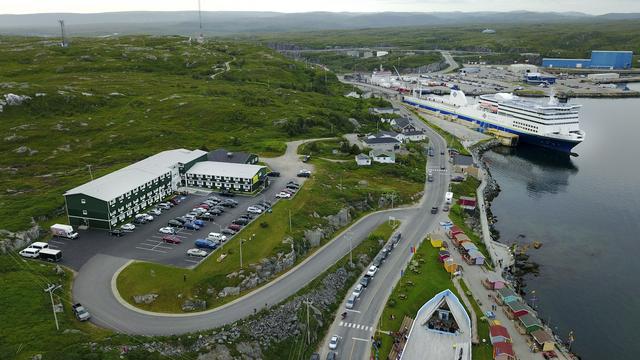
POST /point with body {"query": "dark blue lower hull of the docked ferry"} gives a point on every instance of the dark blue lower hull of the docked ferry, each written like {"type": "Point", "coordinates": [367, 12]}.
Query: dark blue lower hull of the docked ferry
{"type": "Point", "coordinates": [542, 141]}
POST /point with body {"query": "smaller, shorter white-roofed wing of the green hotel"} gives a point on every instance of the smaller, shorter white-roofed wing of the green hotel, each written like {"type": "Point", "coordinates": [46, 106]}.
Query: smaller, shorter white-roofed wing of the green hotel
{"type": "Point", "coordinates": [226, 176]}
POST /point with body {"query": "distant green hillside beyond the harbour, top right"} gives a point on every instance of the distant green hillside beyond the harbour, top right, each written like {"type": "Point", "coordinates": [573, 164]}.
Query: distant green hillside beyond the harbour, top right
{"type": "Point", "coordinates": [549, 39]}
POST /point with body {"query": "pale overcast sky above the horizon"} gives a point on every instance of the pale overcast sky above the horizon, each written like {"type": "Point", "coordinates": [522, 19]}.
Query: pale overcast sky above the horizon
{"type": "Point", "coordinates": [91, 6]}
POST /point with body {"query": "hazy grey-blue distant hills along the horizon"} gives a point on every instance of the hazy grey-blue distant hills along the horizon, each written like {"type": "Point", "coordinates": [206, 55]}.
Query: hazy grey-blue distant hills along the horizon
{"type": "Point", "coordinates": [226, 23]}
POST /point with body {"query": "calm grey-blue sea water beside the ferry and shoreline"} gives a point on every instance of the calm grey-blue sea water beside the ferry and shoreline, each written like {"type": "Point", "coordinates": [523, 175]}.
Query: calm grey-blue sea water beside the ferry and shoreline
{"type": "Point", "coordinates": [586, 212]}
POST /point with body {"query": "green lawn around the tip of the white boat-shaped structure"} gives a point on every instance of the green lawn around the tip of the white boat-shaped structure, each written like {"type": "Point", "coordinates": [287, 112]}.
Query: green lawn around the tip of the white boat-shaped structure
{"type": "Point", "coordinates": [413, 290]}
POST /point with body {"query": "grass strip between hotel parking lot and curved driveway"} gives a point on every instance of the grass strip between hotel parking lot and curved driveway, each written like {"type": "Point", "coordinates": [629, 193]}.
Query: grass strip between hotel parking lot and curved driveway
{"type": "Point", "coordinates": [332, 187]}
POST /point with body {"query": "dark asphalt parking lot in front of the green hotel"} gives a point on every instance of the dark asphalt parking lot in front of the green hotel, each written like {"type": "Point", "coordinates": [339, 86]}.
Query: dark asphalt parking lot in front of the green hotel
{"type": "Point", "coordinates": [146, 242]}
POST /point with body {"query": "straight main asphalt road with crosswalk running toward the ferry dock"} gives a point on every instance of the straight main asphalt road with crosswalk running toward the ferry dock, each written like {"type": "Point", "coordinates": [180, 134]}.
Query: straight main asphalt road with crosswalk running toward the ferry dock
{"type": "Point", "coordinates": [360, 324]}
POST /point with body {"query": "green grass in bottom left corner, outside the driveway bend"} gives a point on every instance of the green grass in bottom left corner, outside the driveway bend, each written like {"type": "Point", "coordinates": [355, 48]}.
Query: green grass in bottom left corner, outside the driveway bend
{"type": "Point", "coordinates": [28, 326]}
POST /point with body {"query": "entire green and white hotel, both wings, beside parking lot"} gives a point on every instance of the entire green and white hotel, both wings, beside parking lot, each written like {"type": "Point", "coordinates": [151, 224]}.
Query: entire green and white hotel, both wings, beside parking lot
{"type": "Point", "coordinates": [115, 198]}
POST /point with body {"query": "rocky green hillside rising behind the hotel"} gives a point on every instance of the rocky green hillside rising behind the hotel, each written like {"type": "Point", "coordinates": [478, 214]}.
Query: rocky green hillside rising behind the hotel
{"type": "Point", "coordinates": [108, 102]}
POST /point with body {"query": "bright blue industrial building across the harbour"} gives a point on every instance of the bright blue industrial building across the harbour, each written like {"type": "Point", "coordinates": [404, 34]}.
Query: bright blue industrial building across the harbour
{"type": "Point", "coordinates": [600, 59]}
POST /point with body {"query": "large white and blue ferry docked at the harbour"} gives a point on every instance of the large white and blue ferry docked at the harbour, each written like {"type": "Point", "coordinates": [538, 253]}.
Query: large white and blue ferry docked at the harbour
{"type": "Point", "coordinates": [552, 125]}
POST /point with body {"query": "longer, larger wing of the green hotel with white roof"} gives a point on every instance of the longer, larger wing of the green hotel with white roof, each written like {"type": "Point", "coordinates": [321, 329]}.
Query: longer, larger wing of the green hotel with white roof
{"type": "Point", "coordinates": [113, 198]}
